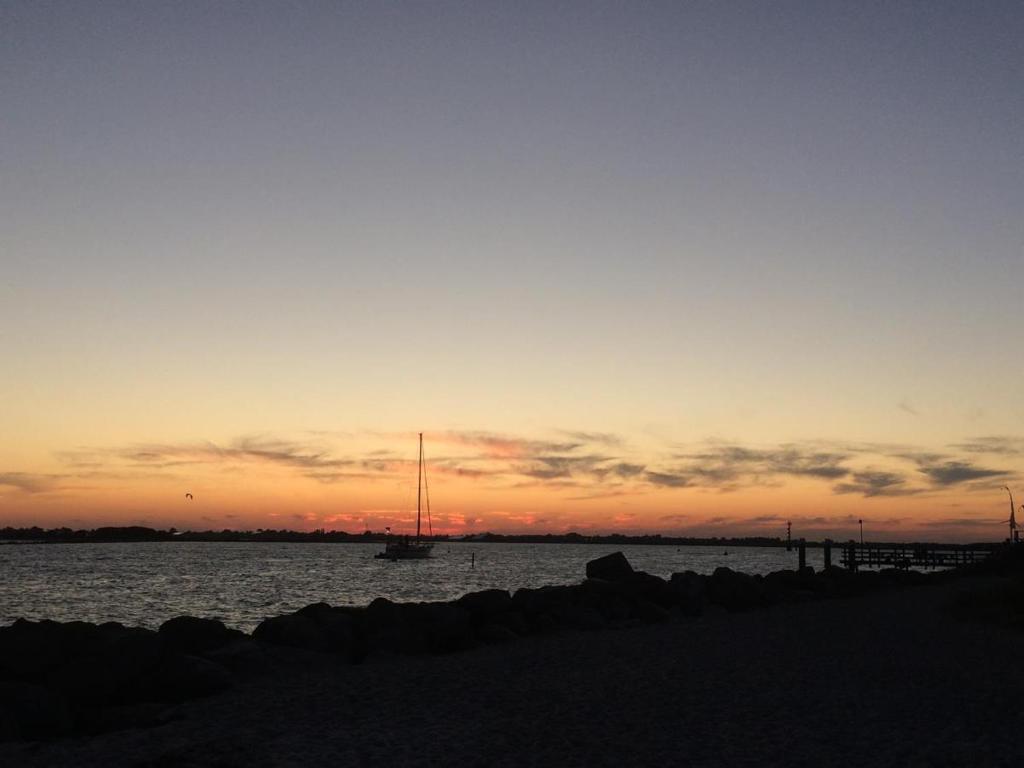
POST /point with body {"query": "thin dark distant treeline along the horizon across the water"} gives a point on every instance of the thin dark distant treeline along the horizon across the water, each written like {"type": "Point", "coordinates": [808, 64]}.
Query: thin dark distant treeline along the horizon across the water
{"type": "Point", "coordinates": [130, 534]}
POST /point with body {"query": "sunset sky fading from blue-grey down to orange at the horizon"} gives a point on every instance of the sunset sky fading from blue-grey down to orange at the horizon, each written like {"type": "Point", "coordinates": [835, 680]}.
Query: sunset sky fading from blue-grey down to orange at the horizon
{"type": "Point", "coordinates": [691, 269]}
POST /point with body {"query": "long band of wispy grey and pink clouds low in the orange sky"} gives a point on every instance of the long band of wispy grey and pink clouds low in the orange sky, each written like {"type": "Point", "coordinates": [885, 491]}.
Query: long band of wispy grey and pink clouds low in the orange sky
{"type": "Point", "coordinates": [587, 465]}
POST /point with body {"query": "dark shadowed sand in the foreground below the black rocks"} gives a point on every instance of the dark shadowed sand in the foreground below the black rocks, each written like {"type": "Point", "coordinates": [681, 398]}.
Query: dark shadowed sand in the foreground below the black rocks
{"type": "Point", "coordinates": [885, 679]}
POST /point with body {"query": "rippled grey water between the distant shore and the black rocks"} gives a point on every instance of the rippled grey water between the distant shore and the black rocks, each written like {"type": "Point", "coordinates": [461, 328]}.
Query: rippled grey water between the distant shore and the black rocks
{"type": "Point", "coordinates": [241, 584]}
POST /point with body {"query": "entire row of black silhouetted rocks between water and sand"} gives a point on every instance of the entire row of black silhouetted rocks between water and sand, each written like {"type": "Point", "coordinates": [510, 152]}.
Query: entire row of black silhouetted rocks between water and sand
{"type": "Point", "coordinates": [77, 680]}
